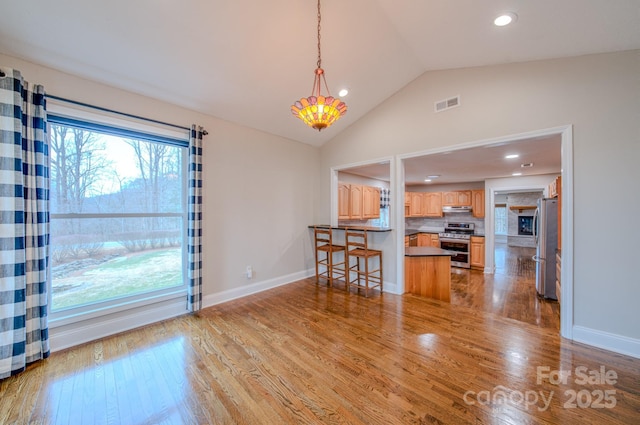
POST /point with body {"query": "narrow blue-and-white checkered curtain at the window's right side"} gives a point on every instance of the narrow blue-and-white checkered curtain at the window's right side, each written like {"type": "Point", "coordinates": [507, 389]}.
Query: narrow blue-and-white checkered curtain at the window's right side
{"type": "Point", "coordinates": [194, 293]}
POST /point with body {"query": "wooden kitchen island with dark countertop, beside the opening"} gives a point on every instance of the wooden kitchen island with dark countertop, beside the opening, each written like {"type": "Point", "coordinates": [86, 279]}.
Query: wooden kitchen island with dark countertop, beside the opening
{"type": "Point", "coordinates": [427, 272]}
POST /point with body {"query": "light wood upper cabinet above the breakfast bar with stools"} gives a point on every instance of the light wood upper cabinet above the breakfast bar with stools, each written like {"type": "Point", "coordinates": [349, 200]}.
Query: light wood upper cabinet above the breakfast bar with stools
{"type": "Point", "coordinates": [358, 202]}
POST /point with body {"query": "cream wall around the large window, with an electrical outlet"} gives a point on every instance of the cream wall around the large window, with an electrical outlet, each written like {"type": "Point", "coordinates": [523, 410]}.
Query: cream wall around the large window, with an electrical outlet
{"type": "Point", "coordinates": [259, 193]}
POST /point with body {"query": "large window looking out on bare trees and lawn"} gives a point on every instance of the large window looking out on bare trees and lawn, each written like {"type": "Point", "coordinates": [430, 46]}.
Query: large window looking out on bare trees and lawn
{"type": "Point", "coordinates": [118, 214]}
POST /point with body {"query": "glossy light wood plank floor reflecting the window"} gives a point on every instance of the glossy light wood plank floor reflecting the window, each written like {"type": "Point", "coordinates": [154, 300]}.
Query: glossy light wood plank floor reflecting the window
{"type": "Point", "coordinates": [304, 354]}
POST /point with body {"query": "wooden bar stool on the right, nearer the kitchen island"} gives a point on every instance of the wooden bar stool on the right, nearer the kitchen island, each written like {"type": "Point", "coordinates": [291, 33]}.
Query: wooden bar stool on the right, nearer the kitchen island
{"type": "Point", "coordinates": [358, 248]}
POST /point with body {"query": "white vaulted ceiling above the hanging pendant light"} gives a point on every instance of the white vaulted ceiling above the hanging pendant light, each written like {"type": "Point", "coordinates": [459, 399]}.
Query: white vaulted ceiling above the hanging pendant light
{"type": "Point", "coordinates": [247, 61]}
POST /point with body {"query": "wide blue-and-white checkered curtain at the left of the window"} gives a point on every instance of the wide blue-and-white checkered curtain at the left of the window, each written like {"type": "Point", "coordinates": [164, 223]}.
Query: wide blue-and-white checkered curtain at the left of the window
{"type": "Point", "coordinates": [24, 228]}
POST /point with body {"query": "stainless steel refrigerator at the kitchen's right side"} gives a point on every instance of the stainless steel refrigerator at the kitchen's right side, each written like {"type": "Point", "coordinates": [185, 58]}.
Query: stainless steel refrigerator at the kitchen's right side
{"type": "Point", "coordinates": [545, 230]}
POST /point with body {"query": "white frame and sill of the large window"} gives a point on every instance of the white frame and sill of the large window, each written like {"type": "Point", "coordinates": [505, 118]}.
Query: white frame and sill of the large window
{"type": "Point", "coordinates": [147, 307]}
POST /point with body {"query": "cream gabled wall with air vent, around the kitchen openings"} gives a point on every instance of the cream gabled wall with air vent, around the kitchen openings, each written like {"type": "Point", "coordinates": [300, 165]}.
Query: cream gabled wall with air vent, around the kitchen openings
{"type": "Point", "coordinates": [599, 95]}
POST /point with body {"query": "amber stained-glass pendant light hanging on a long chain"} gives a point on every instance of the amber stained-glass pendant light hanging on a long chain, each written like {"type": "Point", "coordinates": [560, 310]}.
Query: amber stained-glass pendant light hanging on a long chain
{"type": "Point", "coordinates": [319, 111]}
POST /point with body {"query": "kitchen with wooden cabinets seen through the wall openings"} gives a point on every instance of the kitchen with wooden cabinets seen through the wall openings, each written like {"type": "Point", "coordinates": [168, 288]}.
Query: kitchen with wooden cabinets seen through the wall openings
{"type": "Point", "coordinates": [478, 207]}
